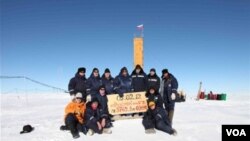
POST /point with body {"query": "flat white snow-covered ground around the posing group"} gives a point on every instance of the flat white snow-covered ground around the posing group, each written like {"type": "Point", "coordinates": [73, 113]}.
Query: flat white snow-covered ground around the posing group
{"type": "Point", "coordinates": [194, 120]}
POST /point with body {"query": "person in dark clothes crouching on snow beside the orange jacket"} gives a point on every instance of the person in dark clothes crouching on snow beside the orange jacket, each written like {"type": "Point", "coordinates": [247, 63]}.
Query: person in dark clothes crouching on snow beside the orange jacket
{"type": "Point", "coordinates": [96, 118]}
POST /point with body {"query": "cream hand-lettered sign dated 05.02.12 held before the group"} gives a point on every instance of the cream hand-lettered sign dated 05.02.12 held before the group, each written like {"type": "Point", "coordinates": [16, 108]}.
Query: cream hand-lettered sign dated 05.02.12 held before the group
{"type": "Point", "coordinates": [130, 103]}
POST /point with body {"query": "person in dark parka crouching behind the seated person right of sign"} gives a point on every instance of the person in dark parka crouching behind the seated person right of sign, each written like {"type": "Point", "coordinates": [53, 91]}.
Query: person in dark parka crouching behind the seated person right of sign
{"type": "Point", "coordinates": [153, 95]}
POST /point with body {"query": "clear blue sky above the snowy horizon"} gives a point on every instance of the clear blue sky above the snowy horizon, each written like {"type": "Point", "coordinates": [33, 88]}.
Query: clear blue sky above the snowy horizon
{"type": "Point", "coordinates": [197, 40]}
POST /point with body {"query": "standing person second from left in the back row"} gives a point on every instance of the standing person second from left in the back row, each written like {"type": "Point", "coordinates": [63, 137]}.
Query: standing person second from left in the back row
{"type": "Point", "coordinates": [94, 82]}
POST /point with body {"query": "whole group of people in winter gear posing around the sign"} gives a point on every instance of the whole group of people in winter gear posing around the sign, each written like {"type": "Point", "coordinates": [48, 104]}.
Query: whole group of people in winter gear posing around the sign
{"type": "Point", "coordinates": [88, 110]}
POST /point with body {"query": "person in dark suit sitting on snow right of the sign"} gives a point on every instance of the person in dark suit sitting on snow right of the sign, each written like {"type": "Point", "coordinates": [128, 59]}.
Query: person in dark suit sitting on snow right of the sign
{"type": "Point", "coordinates": [156, 117]}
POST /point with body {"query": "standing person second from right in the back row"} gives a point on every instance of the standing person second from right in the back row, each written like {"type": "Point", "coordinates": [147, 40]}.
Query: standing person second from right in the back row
{"type": "Point", "coordinates": [153, 80]}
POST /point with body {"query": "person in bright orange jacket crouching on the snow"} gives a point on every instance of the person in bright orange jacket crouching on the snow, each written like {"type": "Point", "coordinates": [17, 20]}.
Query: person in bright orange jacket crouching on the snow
{"type": "Point", "coordinates": [74, 116]}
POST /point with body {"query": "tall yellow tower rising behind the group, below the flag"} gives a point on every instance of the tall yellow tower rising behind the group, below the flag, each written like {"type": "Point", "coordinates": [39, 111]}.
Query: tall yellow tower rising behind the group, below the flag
{"type": "Point", "coordinates": [138, 51]}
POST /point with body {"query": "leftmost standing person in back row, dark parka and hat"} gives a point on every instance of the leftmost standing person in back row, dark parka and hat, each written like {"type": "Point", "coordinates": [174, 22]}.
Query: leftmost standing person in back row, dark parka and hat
{"type": "Point", "coordinates": [78, 83]}
